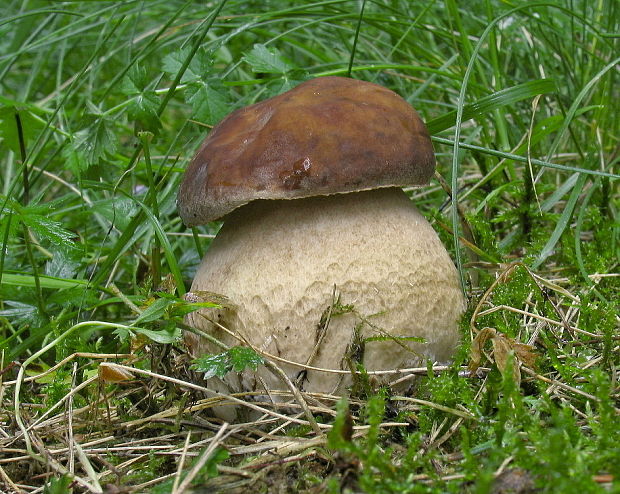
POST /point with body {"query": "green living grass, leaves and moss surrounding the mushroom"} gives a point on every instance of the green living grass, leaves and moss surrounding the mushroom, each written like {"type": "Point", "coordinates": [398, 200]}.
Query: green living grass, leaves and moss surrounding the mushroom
{"type": "Point", "coordinates": [103, 103]}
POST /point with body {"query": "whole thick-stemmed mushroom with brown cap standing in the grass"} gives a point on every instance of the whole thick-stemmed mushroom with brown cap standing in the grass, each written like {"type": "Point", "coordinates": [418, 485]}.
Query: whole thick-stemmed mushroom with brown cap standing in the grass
{"type": "Point", "coordinates": [309, 183]}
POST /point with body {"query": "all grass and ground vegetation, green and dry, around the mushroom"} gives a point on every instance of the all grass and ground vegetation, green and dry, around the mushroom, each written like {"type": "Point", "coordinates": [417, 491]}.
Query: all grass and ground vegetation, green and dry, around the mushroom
{"type": "Point", "coordinates": [102, 105]}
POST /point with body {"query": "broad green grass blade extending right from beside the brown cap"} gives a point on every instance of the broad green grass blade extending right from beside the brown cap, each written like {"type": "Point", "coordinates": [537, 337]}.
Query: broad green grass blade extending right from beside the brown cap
{"type": "Point", "coordinates": [493, 101]}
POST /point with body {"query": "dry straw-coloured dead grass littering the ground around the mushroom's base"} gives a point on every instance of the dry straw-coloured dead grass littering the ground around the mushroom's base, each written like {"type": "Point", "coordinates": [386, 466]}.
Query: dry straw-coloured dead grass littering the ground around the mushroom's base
{"type": "Point", "coordinates": [140, 428]}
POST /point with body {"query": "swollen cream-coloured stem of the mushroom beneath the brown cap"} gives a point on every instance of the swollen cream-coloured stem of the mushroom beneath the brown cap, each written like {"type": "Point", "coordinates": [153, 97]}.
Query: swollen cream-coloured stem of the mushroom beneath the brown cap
{"type": "Point", "coordinates": [279, 261]}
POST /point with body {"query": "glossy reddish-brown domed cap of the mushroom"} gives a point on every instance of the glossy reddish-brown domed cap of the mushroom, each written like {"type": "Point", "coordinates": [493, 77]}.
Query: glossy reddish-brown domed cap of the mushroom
{"type": "Point", "coordinates": [329, 135]}
